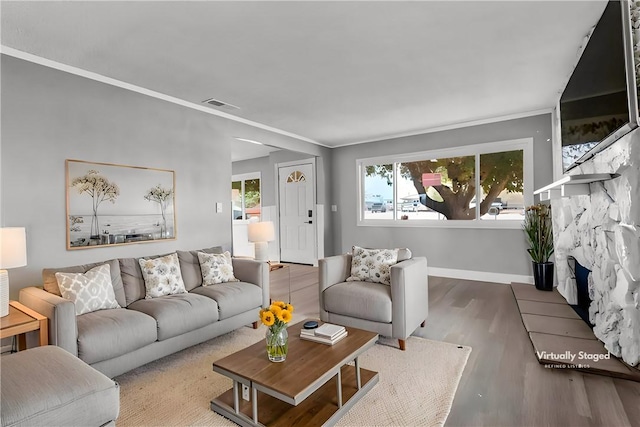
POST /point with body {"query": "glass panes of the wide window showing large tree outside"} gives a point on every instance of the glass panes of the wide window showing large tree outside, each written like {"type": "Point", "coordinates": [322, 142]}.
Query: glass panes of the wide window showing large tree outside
{"type": "Point", "coordinates": [447, 188]}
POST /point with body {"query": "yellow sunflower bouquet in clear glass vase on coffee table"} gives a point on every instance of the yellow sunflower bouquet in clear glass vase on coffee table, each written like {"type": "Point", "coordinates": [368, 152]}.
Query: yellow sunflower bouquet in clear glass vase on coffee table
{"type": "Point", "coordinates": [276, 318]}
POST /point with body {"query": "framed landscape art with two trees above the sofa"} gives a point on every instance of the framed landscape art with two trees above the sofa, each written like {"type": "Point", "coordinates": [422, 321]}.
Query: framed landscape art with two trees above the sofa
{"type": "Point", "coordinates": [109, 204]}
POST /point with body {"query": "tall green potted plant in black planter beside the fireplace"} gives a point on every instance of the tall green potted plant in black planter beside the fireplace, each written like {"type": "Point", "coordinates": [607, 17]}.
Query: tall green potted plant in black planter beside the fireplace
{"type": "Point", "coordinates": [539, 234]}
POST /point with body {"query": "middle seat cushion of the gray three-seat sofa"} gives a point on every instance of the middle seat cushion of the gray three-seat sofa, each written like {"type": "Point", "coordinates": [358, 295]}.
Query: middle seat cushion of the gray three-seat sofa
{"type": "Point", "coordinates": [179, 313]}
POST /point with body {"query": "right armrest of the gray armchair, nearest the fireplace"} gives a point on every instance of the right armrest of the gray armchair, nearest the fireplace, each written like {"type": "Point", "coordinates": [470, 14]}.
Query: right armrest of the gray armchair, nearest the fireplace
{"type": "Point", "coordinates": [409, 296]}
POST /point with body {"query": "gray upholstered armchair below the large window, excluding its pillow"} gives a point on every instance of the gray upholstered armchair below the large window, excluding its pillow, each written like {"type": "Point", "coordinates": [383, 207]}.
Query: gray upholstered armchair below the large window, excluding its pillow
{"type": "Point", "coordinates": [393, 311]}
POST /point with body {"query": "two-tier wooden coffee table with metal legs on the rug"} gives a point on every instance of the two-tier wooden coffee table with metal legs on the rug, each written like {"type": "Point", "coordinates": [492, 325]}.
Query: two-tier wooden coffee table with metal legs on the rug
{"type": "Point", "coordinates": [298, 391]}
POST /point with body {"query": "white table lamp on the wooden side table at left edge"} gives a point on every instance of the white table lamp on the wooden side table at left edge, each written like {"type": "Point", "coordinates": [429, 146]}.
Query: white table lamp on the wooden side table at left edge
{"type": "Point", "coordinates": [13, 253]}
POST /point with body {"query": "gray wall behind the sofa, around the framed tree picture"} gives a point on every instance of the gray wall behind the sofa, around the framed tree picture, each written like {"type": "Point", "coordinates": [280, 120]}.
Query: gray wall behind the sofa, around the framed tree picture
{"type": "Point", "coordinates": [49, 116]}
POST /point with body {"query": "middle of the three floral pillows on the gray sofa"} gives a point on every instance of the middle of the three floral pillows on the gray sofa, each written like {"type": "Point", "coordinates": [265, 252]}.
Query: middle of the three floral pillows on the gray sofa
{"type": "Point", "coordinates": [162, 276]}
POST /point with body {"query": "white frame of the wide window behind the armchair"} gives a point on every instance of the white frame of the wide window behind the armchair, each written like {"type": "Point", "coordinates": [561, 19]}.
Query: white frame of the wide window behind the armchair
{"type": "Point", "coordinates": [524, 144]}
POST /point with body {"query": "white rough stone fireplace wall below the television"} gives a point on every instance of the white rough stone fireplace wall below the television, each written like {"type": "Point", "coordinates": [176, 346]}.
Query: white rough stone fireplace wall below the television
{"type": "Point", "coordinates": [602, 232]}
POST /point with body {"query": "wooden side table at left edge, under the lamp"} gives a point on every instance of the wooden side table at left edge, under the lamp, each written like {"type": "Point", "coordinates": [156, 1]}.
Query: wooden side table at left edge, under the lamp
{"type": "Point", "coordinates": [21, 320]}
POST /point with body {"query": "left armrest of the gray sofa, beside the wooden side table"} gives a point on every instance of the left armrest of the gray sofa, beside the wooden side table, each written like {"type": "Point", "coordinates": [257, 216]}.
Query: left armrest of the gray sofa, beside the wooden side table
{"type": "Point", "coordinates": [63, 329]}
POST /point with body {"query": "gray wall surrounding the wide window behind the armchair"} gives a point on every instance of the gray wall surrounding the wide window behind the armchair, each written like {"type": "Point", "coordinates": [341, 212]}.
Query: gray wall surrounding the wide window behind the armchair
{"type": "Point", "coordinates": [495, 251]}
